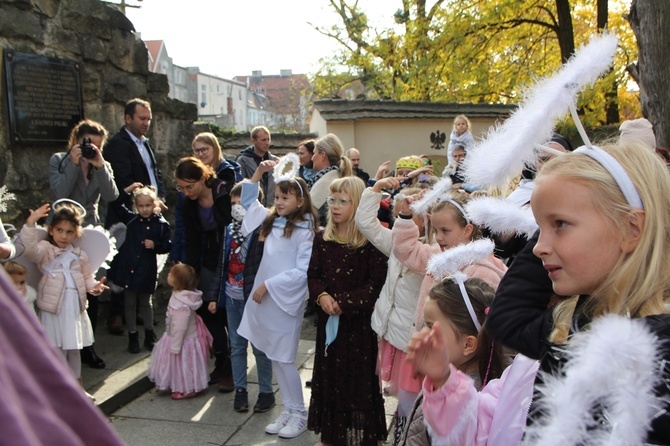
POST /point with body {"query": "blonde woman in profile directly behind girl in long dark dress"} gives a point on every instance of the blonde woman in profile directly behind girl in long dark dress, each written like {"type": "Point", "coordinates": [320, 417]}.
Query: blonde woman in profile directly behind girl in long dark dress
{"type": "Point", "coordinates": [330, 164]}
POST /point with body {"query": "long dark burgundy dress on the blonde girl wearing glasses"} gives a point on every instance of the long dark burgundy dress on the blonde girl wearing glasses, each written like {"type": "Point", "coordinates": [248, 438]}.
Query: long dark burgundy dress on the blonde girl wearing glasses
{"type": "Point", "coordinates": [347, 407]}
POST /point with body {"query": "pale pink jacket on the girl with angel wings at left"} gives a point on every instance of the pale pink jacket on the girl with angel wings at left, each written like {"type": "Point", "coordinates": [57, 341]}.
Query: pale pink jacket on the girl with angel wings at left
{"type": "Point", "coordinates": [51, 286]}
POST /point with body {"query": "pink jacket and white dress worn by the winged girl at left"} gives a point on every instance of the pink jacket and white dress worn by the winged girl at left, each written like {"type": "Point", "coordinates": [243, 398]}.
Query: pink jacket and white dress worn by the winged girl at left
{"type": "Point", "coordinates": [62, 290]}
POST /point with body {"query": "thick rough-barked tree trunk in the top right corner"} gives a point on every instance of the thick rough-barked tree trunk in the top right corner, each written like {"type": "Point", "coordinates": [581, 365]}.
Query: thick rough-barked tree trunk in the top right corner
{"type": "Point", "coordinates": [651, 25]}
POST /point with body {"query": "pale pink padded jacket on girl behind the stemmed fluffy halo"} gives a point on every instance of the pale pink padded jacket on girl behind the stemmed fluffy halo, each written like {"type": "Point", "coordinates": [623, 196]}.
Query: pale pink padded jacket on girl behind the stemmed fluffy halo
{"type": "Point", "coordinates": [415, 254]}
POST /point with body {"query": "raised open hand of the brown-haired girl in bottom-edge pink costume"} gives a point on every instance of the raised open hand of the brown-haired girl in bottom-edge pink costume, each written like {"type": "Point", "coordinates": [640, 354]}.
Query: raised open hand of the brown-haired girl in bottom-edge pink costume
{"type": "Point", "coordinates": [429, 355]}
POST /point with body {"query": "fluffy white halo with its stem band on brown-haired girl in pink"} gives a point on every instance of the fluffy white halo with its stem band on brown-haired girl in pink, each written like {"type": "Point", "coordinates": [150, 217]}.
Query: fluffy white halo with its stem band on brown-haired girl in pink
{"type": "Point", "coordinates": [450, 263]}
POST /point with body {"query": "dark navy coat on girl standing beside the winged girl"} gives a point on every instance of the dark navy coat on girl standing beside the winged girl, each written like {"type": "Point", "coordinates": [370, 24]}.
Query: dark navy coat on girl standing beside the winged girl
{"type": "Point", "coordinates": [134, 266]}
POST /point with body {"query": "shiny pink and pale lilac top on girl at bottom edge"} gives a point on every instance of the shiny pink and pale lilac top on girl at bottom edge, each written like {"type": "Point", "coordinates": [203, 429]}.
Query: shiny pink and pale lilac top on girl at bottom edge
{"type": "Point", "coordinates": [456, 414]}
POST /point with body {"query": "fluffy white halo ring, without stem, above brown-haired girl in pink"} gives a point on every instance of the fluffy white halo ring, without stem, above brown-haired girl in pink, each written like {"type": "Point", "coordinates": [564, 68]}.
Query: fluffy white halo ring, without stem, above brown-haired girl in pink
{"type": "Point", "coordinates": [448, 263]}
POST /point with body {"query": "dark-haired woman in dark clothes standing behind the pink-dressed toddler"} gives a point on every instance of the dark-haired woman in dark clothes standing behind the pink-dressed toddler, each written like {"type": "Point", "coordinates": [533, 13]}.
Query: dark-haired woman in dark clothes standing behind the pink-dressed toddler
{"type": "Point", "coordinates": [205, 213]}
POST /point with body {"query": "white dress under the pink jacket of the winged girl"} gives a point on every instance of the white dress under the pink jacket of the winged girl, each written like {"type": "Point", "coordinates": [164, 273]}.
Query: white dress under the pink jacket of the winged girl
{"type": "Point", "coordinates": [71, 328]}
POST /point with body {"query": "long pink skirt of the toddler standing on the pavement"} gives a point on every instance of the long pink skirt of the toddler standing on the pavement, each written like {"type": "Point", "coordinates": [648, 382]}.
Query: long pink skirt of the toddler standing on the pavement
{"type": "Point", "coordinates": [186, 371]}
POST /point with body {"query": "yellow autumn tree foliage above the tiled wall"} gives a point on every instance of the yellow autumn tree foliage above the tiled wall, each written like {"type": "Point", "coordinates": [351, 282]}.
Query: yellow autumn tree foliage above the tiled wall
{"type": "Point", "coordinates": [473, 50]}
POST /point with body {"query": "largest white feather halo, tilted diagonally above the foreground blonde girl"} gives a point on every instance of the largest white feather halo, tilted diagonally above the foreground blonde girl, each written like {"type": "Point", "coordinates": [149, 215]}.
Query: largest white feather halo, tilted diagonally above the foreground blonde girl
{"type": "Point", "coordinates": [511, 146]}
